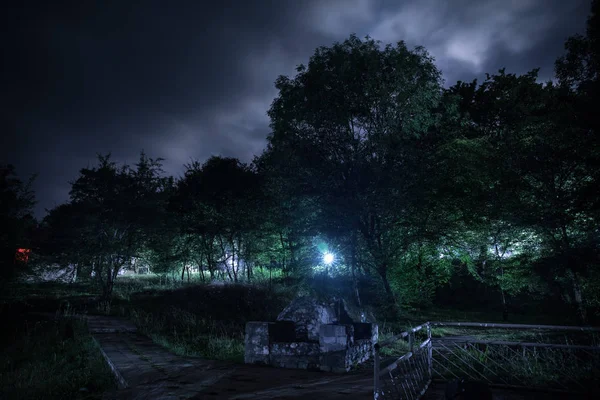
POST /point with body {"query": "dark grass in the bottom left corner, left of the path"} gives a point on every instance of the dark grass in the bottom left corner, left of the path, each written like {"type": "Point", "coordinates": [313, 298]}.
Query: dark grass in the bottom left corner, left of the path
{"type": "Point", "coordinates": [46, 359]}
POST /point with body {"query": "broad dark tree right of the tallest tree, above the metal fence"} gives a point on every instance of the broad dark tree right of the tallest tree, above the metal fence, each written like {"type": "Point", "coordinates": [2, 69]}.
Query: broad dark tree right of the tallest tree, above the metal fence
{"type": "Point", "coordinates": [539, 172]}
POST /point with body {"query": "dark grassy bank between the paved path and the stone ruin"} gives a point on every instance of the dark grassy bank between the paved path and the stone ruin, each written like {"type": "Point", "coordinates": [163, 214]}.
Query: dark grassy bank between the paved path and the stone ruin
{"type": "Point", "coordinates": [203, 320]}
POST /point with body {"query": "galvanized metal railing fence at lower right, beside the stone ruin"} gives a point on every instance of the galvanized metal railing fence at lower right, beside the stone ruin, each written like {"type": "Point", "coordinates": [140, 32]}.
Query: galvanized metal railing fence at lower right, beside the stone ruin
{"type": "Point", "coordinates": [547, 366]}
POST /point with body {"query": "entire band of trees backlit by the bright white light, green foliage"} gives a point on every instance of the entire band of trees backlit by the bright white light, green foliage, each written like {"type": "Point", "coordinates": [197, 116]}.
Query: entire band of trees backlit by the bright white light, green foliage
{"type": "Point", "coordinates": [485, 191]}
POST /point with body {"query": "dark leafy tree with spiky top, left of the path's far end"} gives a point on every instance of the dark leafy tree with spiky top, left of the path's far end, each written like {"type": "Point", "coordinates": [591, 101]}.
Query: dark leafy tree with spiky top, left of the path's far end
{"type": "Point", "coordinates": [109, 218]}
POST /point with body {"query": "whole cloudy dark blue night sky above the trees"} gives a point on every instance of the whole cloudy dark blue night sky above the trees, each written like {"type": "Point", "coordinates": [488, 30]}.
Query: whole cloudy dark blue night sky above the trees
{"type": "Point", "coordinates": [186, 80]}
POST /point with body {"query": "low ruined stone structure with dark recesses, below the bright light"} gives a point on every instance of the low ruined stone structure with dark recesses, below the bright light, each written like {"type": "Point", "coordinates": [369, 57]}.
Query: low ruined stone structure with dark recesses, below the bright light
{"type": "Point", "coordinates": [311, 334]}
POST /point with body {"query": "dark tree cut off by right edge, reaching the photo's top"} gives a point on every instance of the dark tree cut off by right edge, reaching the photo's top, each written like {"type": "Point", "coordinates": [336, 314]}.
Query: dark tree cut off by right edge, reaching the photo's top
{"type": "Point", "coordinates": [578, 74]}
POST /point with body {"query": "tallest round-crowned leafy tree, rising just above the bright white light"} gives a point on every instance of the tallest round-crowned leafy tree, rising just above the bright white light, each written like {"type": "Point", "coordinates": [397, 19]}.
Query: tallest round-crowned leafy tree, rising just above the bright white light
{"type": "Point", "coordinates": [350, 133]}
